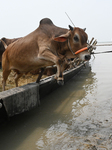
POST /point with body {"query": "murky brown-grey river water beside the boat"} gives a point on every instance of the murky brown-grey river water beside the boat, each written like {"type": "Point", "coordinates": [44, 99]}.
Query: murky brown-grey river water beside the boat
{"type": "Point", "coordinates": [77, 116]}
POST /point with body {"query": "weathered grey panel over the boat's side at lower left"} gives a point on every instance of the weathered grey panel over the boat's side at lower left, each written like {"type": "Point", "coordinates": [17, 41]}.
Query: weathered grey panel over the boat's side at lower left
{"type": "Point", "coordinates": [20, 99]}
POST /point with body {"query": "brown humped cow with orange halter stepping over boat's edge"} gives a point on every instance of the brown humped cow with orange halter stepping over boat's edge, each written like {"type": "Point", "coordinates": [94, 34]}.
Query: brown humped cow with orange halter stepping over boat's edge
{"type": "Point", "coordinates": [46, 46]}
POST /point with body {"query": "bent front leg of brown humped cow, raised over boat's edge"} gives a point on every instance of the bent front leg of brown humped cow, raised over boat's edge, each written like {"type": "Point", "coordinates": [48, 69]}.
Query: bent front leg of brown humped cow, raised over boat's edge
{"type": "Point", "coordinates": [49, 56]}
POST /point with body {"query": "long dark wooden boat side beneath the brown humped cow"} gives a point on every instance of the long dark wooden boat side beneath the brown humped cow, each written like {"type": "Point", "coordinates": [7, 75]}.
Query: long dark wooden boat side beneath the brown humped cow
{"type": "Point", "coordinates": [24, 98]}
